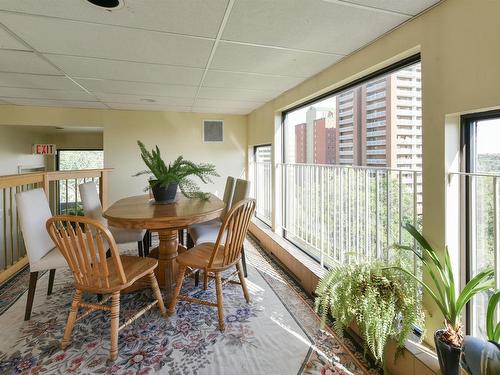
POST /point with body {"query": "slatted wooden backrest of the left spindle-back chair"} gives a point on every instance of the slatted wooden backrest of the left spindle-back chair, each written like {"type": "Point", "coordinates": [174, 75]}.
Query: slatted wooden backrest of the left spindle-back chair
{"type": "Point", "coordinates": [84, 242]}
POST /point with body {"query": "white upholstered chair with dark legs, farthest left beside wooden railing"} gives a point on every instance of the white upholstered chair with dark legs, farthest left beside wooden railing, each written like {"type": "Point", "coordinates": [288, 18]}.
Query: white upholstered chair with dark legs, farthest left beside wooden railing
{"type": "Point", "coordinates": [34, 211]}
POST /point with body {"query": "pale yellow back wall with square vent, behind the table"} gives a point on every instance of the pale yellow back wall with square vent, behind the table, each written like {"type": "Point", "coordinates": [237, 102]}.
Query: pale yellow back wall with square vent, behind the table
{"type": "Point", "coordinates": [175, 133]}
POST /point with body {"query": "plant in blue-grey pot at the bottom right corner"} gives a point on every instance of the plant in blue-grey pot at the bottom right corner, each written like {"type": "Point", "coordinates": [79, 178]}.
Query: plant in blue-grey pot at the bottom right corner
{"type": "Point", "coordinates": [481, 357]}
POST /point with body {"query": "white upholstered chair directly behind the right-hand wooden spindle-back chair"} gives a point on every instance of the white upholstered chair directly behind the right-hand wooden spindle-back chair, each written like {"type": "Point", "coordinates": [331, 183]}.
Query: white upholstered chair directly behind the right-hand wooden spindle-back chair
{"type": "Point", "coordinates": [208, 232]}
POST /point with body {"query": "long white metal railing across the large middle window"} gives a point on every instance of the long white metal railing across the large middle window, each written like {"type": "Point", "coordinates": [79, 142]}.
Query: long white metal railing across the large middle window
{"type": "Point", "coordinates": [340, 214]}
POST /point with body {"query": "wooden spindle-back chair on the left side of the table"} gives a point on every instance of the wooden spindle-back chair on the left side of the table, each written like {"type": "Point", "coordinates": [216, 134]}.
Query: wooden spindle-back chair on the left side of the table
{"type": "Point", "coordinates": [84, 242]}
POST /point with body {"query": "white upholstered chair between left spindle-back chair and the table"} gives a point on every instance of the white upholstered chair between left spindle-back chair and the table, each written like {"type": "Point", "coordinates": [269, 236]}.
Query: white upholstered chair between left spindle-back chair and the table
{"type": "Point", "coordinates": [93, 209]}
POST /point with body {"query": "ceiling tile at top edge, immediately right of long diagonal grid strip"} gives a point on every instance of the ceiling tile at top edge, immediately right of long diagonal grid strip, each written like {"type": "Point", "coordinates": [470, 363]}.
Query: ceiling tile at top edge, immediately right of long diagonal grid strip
{"type": "Point", "coordinates": [307, 25]}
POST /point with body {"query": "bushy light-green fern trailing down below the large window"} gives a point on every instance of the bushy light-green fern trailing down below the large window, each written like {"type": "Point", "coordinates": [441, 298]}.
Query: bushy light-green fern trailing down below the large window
{"type": "Point", "coordinates": [376, 298]}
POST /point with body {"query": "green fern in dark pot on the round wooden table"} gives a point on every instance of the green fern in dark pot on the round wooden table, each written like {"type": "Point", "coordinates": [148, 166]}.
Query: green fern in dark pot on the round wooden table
{"type": "Point", "coordinates": [167, 178]}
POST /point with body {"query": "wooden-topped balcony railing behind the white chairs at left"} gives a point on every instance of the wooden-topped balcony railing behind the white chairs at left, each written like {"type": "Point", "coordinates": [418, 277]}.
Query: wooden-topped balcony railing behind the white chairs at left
{"type": "Point", "coordinates": [61, 188]}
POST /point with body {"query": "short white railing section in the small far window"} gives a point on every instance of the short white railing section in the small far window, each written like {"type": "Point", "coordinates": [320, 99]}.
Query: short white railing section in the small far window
{"type": "Point", "coordinates": [263, 190]}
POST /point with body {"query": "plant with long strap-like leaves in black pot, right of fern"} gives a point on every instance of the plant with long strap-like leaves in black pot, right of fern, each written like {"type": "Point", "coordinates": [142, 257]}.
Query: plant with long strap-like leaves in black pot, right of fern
{"type": "Point", "coordinates": [443, 291]}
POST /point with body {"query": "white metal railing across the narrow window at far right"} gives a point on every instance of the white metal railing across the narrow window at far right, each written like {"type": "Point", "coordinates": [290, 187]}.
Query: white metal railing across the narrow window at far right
{"type": "Point", "coordinates": [484, 232]}
